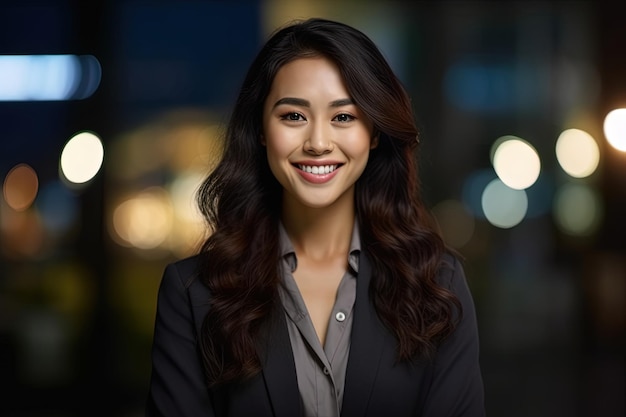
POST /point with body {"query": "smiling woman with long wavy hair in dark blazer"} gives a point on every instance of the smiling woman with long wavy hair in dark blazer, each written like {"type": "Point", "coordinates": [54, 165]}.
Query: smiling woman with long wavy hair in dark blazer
{"type": "Point", "coordinates": [323, 289]}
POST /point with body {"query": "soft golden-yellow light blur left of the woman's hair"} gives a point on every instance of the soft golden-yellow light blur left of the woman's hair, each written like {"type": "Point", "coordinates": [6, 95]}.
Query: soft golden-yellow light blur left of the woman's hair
{"type": "Point", "coordinates": [144, 221]}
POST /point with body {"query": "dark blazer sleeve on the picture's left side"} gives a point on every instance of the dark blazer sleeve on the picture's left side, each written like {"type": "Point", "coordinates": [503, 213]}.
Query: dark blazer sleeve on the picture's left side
{"type": "Point", "coordinates": [177, 383]}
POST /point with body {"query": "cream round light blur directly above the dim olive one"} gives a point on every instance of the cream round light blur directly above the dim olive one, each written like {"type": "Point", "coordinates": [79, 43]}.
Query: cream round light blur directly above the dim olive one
{"type": "Point", "coordinates": [577, 153]}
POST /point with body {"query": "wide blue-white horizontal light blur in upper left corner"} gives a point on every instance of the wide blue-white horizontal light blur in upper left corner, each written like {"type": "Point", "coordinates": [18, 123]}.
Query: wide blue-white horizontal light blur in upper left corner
{"type": "Point", "coordinates": [48, 77]}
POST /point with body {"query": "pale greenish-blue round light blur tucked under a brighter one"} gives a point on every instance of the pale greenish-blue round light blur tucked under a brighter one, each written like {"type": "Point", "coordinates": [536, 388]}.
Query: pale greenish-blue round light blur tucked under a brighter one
{"type": "Point", "coordinates": [504, 207]}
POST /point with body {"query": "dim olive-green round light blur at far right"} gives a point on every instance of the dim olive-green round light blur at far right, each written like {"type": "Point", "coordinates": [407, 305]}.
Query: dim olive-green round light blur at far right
{"type": "Point", "coordinates": [577, 209]}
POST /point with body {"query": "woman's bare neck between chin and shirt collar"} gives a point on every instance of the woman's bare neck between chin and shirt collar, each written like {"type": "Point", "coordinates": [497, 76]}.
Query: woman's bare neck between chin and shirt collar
{"type": "Point", "coordinates": [319, 233]}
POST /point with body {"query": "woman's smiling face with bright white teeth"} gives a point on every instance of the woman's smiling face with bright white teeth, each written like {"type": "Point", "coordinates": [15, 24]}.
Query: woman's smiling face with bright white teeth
{"type": "Point", "coordinates": [318, 141]}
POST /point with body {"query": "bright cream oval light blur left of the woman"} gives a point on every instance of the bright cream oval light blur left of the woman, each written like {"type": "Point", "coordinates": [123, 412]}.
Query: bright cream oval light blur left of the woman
{"type": "Point", "coordinates": [82, 157]}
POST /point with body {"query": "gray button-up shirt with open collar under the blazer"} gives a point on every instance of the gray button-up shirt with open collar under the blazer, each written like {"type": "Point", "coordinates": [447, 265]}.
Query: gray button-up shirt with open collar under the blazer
{"type": "Point", "coordinates": [320, 370]}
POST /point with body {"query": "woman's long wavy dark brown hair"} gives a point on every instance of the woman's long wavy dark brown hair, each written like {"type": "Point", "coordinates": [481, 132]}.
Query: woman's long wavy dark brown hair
{"type": "Point", "coordinates": [241, 202]}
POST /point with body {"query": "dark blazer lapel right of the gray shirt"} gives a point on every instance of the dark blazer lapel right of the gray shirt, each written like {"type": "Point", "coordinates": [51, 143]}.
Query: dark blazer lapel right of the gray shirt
{"type": "Point", "coordinates": [366, 347]}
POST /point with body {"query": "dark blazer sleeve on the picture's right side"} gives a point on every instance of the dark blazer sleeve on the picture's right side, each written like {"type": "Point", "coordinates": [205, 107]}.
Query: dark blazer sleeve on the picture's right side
{"type": "Point", "coordinates": [456, 388]}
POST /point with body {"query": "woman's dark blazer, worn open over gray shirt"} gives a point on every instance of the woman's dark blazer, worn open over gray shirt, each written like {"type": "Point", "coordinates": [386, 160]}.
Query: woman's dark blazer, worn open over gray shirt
{"type": "Point", "coordinates": [375, 385]}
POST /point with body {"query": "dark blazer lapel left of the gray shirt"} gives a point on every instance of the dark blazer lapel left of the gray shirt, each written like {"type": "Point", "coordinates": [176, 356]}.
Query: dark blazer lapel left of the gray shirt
{"type": "Point", "coordinates": [279, 371]}
